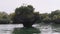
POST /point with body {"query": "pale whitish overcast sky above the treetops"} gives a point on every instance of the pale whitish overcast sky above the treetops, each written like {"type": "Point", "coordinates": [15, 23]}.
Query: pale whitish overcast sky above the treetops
{"type": "Point", "coordinates": [43, 6]}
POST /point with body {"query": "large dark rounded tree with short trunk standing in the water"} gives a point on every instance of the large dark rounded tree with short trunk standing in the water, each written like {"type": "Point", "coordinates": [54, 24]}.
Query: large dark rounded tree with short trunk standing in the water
{"type": "Point", "coordinates": [26, 16]}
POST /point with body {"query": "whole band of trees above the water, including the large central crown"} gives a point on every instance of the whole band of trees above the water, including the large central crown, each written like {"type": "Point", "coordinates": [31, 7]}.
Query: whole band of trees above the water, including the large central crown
{"type": "Point", "coordinates": [28, 12]}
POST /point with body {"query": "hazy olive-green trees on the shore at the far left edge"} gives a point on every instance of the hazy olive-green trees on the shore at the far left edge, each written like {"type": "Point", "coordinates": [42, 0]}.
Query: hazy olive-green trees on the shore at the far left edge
{"type": "Point", "coordinates": [4, 18]}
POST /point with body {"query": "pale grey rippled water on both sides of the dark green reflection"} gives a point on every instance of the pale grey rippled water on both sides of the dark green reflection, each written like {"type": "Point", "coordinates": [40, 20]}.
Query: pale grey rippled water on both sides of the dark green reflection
{"type": "Point", "coordinates": [45, 29]}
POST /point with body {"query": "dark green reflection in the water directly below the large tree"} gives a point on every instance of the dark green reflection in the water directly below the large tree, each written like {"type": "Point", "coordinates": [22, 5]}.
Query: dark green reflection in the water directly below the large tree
{"type": "Point", "coordinates": [26, 31]}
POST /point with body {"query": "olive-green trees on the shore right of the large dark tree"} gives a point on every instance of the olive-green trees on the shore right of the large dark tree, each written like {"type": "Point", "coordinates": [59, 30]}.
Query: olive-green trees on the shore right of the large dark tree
{"type": "Point", "coordinates": [53, 17]}
